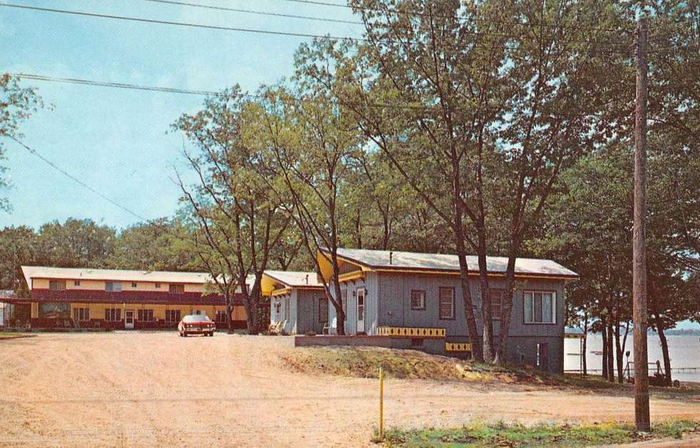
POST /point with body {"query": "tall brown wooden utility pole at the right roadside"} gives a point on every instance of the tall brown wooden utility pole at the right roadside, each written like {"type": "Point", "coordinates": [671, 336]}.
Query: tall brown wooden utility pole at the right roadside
{"type": "Point", "coordinates": [639, 265]}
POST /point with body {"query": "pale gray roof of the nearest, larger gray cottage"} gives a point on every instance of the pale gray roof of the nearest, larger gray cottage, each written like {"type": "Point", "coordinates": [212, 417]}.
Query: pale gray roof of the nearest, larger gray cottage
{"type": "Point", "coordinates": [385, 259]}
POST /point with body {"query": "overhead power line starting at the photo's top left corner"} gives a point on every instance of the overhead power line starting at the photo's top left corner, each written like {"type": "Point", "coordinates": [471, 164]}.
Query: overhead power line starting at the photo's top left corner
{"type": "Point", "coordinates": [182, 24]}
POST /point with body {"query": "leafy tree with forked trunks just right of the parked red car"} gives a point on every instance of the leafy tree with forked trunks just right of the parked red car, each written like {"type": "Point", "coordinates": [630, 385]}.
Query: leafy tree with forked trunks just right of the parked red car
{"type": "Point", "coordinates": [236, 220]}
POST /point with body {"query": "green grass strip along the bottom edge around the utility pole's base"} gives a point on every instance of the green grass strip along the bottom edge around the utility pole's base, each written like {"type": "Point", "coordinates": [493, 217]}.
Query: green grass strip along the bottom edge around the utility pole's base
{"type": "Point", "coordinates": [480, 435]}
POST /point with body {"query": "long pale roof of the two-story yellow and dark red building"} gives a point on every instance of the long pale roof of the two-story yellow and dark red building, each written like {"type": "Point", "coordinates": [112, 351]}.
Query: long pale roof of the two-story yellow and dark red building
{"type": "Point", "coordinates": [113, 275]}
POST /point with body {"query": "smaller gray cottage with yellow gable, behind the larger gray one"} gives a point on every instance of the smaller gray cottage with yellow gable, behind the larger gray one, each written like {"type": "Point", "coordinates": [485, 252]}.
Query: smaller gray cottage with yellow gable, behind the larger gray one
{"type": "Point", "coordinates": [298, 302]}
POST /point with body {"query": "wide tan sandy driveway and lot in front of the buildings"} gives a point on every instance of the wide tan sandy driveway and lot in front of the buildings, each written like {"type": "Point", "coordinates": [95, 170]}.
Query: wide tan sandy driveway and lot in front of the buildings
{"type": "Point", "coordinates": [139, 389]}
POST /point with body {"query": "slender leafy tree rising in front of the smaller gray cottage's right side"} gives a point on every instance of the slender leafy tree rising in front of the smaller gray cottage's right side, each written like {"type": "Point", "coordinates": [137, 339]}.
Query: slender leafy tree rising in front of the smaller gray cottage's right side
{"type": "Point", "coordinates": [316, 149]}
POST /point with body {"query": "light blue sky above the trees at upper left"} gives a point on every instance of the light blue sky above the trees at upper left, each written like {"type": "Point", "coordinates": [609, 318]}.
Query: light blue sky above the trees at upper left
{"type": "Point", "coordinates": [119, 141]}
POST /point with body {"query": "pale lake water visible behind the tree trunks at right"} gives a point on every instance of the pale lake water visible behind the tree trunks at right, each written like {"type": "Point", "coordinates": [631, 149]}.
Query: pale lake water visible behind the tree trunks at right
{"type": "Point", "coordinates": [683, 349]}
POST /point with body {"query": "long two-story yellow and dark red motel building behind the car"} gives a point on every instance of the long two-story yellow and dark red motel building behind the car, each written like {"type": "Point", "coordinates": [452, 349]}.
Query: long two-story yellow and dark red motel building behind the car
{"type": "Point", "coordinates": [124, 299]}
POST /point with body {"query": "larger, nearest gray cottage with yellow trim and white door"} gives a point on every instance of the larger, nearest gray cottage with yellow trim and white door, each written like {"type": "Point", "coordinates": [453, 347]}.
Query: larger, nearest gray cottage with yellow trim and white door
{"type": "Point", "coordinates": [416, 300]}
